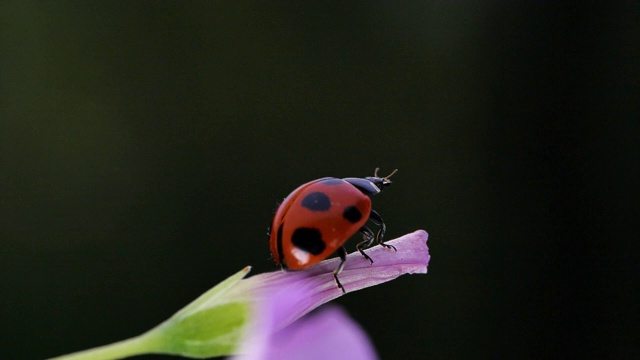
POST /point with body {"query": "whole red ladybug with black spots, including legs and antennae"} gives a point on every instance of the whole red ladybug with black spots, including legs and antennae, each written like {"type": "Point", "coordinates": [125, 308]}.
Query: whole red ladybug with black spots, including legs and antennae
{"type": "Point", "coordinates": [317, 218]}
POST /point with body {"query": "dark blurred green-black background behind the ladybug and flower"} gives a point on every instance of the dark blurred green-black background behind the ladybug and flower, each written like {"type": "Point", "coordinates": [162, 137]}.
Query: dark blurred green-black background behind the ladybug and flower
{"type": "Point", "coordinates": [143, 146]}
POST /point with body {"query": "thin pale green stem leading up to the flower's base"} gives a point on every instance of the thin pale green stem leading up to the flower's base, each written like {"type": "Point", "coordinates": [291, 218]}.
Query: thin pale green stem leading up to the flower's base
{"type": "Point", "coordinates": [138, 345]}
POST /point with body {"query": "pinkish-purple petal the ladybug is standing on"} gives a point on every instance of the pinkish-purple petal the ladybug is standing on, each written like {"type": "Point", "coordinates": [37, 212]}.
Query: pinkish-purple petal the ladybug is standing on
{"type": "Point", "coordinates": [412, 257]}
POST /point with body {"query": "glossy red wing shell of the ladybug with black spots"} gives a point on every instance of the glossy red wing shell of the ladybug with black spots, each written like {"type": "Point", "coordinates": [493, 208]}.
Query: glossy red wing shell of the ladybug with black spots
{"type": "Point", "coordinates": [315, 220]}
